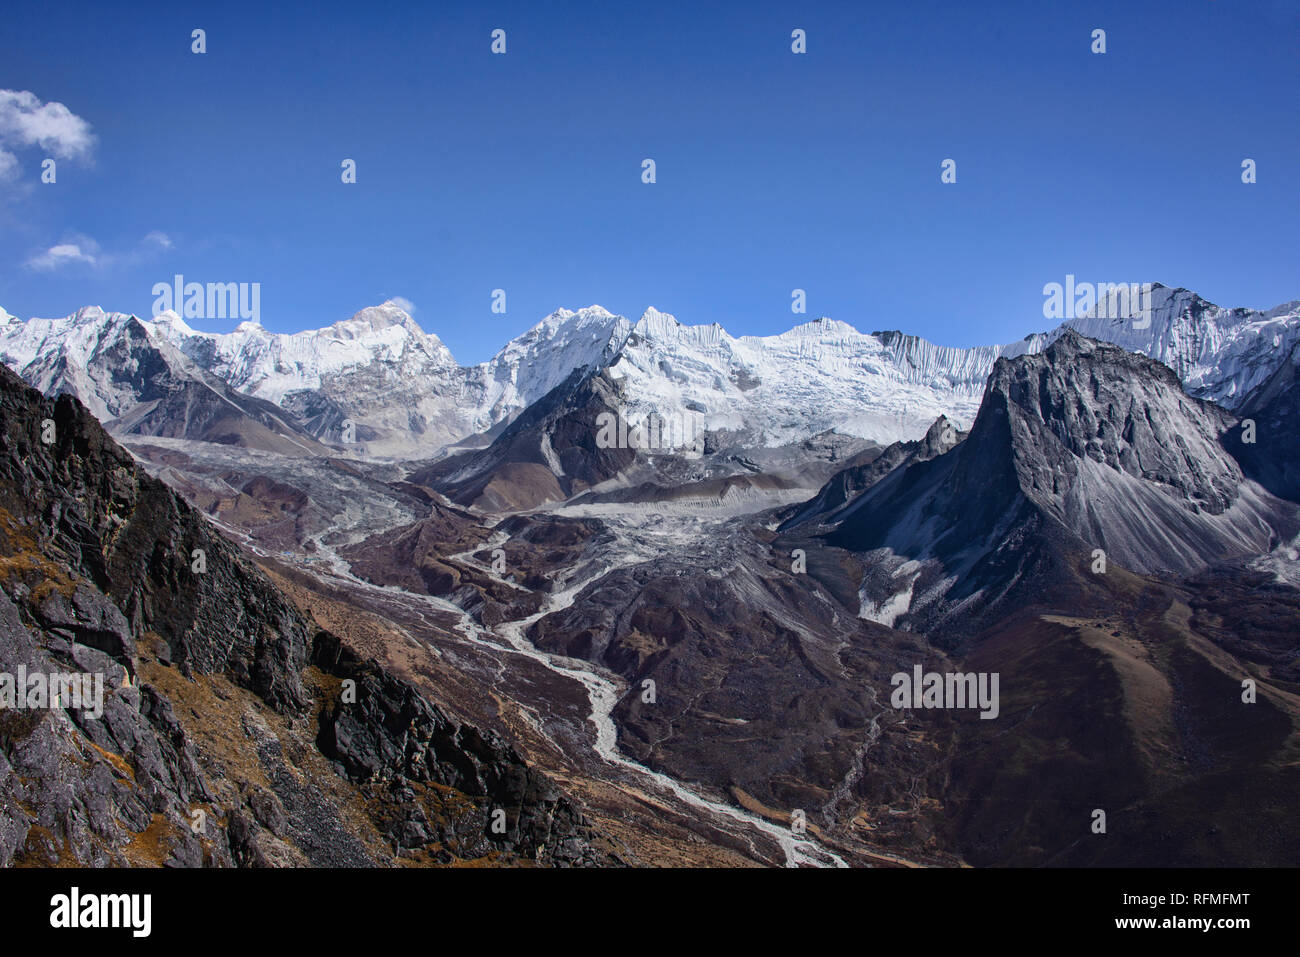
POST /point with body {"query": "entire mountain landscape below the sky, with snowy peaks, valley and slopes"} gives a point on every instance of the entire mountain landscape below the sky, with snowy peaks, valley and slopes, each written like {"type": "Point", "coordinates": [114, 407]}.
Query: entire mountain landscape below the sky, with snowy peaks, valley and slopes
{"type": "Point", "coordinates": [358, 604]}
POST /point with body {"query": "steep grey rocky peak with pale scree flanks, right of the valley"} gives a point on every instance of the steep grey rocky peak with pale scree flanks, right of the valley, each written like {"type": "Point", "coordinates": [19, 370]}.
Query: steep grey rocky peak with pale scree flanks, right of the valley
{"type": "Point", "coordinates": [1084, 447]}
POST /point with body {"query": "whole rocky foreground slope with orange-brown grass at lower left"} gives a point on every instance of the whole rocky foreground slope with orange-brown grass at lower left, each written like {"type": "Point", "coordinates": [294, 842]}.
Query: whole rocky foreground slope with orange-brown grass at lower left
{"type": "Point", "coordinates": [223, 707]}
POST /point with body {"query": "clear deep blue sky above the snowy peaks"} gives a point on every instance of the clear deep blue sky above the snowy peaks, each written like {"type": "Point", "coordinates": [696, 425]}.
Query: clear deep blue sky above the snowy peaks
{"type": "Point", "coordinates": [775, 171]}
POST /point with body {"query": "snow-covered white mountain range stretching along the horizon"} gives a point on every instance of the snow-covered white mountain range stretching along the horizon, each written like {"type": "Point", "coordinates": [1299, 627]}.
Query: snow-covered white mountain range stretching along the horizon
{"type": "Point", "coordinates": [379, 387]}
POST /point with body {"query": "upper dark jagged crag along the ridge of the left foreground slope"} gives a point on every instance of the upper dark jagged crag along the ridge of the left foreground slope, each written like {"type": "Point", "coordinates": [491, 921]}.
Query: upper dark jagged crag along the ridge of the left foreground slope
{"type": "Point", "coordinates": [96, 514]}
